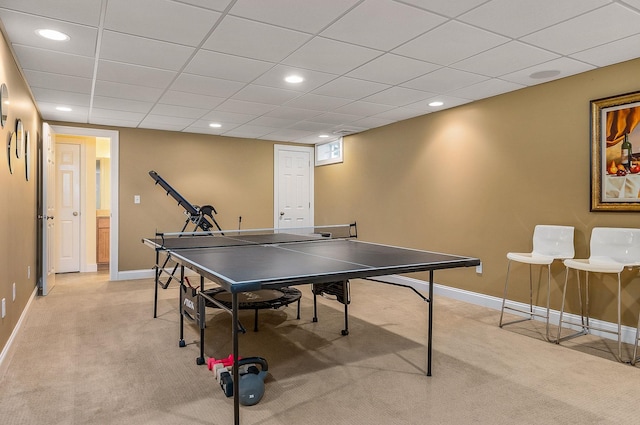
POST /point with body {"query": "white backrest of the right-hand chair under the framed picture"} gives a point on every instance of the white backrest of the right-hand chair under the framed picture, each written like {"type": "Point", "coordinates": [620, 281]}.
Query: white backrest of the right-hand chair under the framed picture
{"type": "Point", "coordinates": [612, 244]}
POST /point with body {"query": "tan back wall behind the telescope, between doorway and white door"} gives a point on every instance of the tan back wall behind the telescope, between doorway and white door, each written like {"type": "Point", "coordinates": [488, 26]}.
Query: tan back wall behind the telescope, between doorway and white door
{"type": "Point", "coordinates": [235, 176]}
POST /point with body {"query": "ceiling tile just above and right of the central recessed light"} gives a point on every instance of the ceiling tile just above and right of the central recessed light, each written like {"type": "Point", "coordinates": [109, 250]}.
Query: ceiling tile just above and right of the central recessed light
{"type": "Point", "coordinates": [330, 56]}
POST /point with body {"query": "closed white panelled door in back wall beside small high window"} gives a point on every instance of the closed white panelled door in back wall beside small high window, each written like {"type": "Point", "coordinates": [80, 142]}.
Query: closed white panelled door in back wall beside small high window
{"type": "Point", "coordinates": [293, 187]}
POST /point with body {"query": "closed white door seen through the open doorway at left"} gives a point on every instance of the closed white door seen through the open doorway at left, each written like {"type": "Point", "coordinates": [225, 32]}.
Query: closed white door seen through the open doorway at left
{"type": "Point", "coordinates": [68, 208]}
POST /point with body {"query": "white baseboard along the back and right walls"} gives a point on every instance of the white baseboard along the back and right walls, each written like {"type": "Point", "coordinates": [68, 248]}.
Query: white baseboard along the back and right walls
{"type": "Point", "coordinates": [572, 321]}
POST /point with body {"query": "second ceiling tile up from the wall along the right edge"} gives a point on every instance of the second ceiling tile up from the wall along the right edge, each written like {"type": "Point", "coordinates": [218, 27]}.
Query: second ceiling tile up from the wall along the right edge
{"type": "Point", "coordinates": [587, 31]}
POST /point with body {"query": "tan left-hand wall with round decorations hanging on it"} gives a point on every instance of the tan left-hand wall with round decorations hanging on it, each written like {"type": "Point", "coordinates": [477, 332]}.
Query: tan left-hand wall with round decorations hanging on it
{"type": "Point", "coordinates": [17, 199]}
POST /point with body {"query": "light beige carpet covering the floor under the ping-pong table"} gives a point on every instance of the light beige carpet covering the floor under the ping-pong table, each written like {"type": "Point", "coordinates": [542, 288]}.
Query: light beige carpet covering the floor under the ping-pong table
{"type": "Point", "coordinates": [92, 353]}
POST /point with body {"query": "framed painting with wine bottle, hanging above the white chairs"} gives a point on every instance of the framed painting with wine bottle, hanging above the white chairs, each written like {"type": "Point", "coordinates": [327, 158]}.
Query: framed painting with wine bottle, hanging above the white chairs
{"type": "Point", "coordinates": [615, 153]}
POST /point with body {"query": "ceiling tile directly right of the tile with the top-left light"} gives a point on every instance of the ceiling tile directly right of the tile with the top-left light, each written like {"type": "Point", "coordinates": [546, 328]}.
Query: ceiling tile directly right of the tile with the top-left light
{"type": "Point", "coordinates": [144, 51]}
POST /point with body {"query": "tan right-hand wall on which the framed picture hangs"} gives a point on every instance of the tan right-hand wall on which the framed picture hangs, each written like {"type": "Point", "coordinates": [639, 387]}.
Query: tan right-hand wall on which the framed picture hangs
{"type": "Point", "coordinates": [476, 179]}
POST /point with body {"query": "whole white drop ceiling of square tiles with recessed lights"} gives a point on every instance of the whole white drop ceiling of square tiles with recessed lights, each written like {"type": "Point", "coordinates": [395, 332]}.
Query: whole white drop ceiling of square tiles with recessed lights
{"type": "Point", "coordinates": [182, 65]}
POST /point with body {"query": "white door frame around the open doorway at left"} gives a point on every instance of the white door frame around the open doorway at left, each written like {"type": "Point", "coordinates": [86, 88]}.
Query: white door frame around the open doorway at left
{"type": "Point", "coordinates": [114, 137]}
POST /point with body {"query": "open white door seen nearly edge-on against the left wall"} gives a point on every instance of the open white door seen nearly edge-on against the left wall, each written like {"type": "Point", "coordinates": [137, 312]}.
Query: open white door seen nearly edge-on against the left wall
{"type": "Point", "coordinates": [47, 169]}
